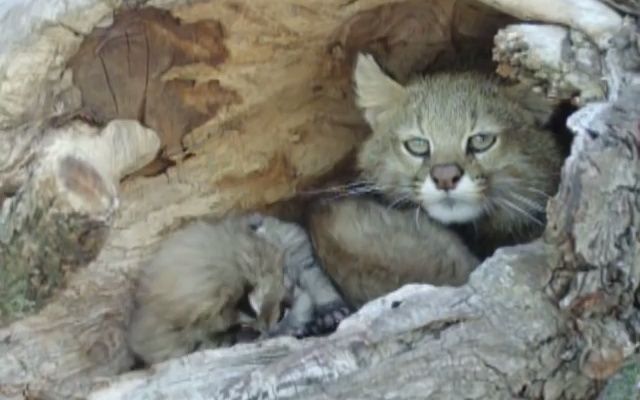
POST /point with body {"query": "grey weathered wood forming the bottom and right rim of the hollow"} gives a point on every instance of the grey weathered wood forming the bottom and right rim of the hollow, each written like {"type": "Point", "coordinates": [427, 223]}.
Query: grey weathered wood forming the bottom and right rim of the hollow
{"type": "Point", "coordinates": [502, 335]}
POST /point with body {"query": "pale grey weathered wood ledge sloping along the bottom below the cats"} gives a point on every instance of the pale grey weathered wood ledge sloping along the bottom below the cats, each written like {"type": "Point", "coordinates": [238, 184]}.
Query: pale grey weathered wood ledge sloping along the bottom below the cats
{"type": "Point", "coordinates": [429, 337]}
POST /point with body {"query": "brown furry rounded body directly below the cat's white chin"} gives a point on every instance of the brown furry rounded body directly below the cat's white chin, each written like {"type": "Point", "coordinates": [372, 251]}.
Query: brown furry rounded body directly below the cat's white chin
{"type": "Point", "coordinates": [370, 250]}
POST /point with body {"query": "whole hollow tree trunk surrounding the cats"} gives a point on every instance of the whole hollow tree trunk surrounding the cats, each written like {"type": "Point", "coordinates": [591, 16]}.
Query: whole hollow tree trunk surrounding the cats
{"type": "Point", "coordinates": [118, 127]}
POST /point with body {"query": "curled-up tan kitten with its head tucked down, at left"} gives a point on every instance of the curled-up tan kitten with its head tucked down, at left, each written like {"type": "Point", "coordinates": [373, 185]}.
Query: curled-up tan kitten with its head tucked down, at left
{"type": "Point", "coordinates": [197, 286]}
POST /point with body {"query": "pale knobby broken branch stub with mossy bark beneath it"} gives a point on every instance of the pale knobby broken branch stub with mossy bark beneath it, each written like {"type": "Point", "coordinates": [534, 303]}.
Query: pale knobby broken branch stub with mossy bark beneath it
{"type": "Point", "coordinates": [59, 218]}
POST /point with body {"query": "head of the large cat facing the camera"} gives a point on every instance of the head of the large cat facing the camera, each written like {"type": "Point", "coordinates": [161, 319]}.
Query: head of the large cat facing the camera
{"type": "Point", "coordinates": [461, 146]}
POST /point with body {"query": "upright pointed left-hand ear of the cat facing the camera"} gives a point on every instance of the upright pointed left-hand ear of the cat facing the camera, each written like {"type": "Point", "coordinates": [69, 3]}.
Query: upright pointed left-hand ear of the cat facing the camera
{"type": "Point", "coordinates": [376, 92]}
